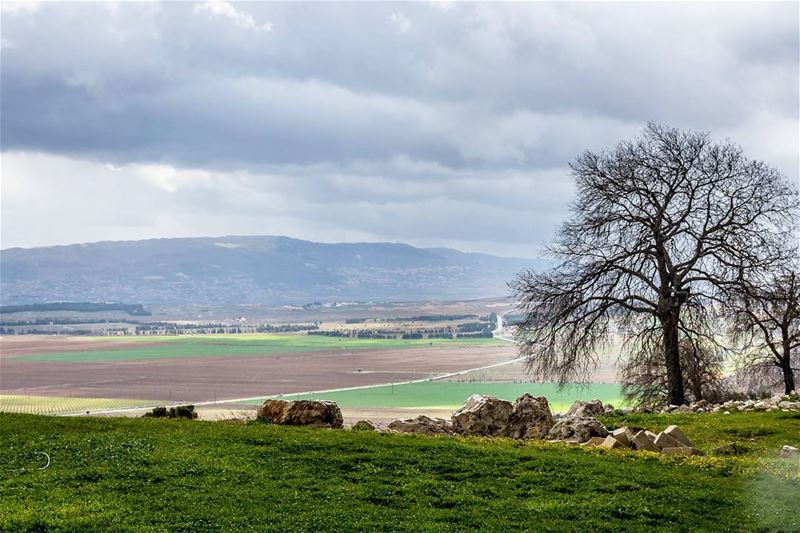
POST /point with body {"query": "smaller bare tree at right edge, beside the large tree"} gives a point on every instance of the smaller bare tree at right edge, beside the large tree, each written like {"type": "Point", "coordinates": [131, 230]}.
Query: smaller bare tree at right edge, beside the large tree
{"type": "Point", "coordinates": [766, 316]}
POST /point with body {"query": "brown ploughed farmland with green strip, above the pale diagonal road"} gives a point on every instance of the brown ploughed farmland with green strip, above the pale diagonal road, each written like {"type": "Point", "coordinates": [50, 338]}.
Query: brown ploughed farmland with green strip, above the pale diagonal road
{"type": "Point", "coordinates": [218, 367]}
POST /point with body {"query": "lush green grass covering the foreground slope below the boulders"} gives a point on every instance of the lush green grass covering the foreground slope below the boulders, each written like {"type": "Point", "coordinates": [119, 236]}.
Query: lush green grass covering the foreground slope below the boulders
{"type": "Point", "coordinates": [173, 475]}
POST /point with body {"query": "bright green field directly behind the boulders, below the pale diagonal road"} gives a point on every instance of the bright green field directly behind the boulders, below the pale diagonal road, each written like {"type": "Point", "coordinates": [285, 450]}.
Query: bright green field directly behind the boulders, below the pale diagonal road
{"type": "Point", "coordinates": [448, 394]}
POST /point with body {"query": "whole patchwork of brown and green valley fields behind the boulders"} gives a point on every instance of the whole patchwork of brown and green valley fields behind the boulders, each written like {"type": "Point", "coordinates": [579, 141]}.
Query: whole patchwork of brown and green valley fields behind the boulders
{"type": "Point", "coordinates": [391, 376]}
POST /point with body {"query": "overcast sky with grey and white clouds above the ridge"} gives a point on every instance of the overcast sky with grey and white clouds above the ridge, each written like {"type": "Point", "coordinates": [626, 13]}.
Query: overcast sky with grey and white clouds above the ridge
{"type": "Point", "coordinates": [431, 123]}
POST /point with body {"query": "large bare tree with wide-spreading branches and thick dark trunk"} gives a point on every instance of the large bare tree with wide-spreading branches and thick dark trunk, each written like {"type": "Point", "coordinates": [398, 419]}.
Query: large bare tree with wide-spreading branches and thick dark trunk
{"type": "Point", "coordinates": [658, 226]}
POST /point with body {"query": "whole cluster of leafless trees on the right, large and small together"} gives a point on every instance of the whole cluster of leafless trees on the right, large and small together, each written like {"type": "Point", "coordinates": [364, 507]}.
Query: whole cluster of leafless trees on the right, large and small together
{"type": "Point", "coordinates": [673, 239]}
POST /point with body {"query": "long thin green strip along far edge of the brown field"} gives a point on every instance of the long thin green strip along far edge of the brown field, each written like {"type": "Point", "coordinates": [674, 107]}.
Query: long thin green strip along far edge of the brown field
{"type": "Point", "coordinates": [171, 347]}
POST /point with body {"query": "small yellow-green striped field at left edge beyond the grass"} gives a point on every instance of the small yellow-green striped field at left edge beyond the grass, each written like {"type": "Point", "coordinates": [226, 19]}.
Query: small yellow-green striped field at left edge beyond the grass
{"type": "Point", "coordinates": [57, 405]}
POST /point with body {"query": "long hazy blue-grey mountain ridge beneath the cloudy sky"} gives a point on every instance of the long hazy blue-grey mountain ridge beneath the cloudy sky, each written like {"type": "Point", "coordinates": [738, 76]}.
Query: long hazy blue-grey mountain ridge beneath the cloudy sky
{"type": "Point", "coordinates": [270, 270]}
